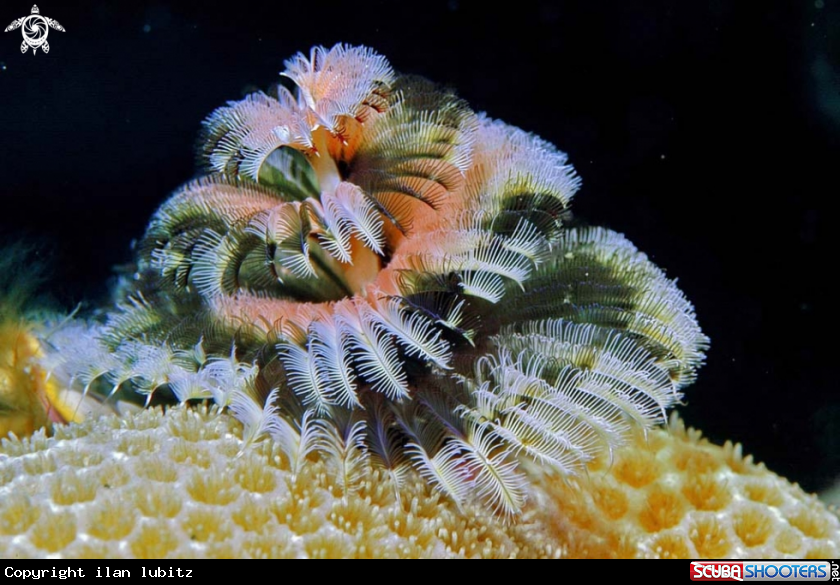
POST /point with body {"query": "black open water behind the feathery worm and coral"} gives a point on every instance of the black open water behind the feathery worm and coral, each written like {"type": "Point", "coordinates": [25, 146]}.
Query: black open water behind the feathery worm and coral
{"type": "Point", "coordinates": [707, 132]}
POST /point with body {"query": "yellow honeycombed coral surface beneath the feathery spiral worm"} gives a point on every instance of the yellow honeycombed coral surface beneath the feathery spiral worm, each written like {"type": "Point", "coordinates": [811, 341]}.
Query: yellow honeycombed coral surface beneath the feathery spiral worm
{"type": "Point", "coordinates": [184, 484]}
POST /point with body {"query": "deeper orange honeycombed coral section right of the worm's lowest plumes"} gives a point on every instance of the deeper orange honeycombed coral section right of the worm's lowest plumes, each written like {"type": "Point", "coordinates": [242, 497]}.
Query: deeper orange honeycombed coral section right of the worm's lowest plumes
{"type": "Point", "coordinates": [673, 494]}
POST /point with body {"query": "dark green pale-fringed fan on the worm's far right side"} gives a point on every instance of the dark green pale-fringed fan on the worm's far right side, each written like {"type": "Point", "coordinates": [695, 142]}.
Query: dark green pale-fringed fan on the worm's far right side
{"type": "Point", "coordinates": [599, 277]}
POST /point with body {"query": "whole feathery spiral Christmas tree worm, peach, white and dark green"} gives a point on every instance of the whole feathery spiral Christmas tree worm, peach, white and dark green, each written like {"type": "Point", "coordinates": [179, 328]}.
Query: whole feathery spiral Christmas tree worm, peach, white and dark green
{"type": "Point", "coordinates": [370, 270]}
